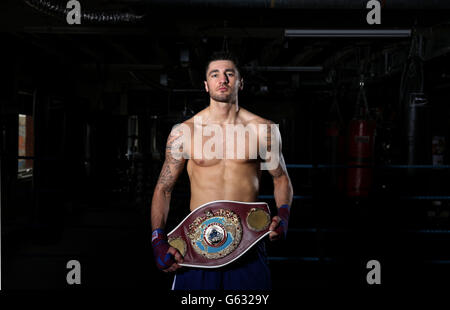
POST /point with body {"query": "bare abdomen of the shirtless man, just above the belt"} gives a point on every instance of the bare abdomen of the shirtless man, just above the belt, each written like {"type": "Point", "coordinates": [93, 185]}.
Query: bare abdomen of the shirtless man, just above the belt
{"type": "Point", "coordinates": [236, 180]}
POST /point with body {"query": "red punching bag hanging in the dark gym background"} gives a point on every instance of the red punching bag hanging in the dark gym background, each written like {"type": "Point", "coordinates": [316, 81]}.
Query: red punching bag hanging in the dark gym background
{"type": "Point", "coordinates": [360, 150]}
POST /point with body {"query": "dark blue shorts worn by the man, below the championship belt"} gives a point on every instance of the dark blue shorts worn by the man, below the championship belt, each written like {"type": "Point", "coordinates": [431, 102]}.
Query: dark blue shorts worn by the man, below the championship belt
{"type": "Point", "coordinates": [249, 272]}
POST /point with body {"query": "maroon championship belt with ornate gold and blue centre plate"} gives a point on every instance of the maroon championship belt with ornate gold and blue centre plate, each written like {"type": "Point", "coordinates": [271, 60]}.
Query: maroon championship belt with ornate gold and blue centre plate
{"type": "Point", "coordinates": [219, 232]}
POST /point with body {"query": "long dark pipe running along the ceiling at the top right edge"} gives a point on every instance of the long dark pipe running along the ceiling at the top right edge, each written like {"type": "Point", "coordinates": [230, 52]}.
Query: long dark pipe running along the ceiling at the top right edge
{"type": "Point", "coordinates": [303, 4]}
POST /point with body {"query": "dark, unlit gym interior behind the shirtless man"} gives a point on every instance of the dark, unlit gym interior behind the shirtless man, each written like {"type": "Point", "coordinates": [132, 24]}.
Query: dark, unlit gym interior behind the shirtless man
{"type": "Point", "coordinates": [103, 96]}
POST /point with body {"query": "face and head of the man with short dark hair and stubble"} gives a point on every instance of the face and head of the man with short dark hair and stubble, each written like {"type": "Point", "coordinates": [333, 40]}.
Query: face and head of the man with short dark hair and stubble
{"type": "Point", "coordinates": [223, 81]}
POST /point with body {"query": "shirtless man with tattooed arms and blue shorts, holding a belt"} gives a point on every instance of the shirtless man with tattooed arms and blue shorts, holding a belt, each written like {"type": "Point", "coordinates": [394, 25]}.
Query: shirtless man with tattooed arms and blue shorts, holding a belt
{"type": "Point", "coordinates": [220, 179]}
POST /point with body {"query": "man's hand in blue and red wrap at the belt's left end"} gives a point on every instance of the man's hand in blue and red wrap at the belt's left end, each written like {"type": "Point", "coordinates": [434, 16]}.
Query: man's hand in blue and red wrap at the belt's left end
{"type": "Point", "coordinates": [166, 257]}
